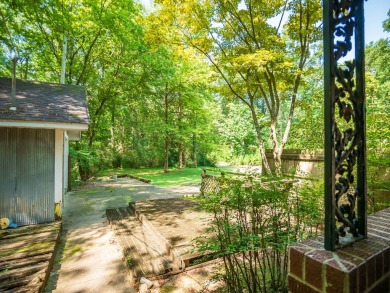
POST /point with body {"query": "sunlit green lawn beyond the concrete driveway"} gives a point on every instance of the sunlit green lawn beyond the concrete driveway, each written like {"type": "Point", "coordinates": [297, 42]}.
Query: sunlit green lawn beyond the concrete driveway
{"type": "Point", "coordinates": [188, 176]}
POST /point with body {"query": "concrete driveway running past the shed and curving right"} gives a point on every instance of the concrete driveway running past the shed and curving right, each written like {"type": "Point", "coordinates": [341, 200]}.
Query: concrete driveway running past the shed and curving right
{"type": "Point", "coordinates": [89, 259]}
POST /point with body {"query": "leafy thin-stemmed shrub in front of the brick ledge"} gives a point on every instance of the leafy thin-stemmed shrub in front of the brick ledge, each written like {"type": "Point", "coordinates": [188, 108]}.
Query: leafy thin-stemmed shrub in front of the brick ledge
{"type": "Point", "coordinates": [253, 225]}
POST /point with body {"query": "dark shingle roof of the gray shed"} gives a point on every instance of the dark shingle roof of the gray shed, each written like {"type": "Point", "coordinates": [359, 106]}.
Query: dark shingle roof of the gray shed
{"type": "Point", "coordinates": [39, 101]}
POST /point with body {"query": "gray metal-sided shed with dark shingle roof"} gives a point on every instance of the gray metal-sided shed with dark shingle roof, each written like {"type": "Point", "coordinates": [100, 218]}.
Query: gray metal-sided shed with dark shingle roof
{"type": "Point", "coordinates": [35, 130]}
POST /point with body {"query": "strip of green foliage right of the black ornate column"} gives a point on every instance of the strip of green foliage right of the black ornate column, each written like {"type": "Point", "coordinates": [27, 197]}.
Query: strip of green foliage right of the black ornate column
{"type": "Point", "coordinates": [378, 129]}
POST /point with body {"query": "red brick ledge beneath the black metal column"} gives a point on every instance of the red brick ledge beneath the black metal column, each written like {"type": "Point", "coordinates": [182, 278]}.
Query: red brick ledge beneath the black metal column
{"type": "Point", "coordinates": [361, 267]}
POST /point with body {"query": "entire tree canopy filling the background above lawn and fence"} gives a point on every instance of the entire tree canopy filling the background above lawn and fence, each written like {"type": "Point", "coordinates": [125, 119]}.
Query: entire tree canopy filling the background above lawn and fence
{"type": "Point", "coordinates": [189, 81]}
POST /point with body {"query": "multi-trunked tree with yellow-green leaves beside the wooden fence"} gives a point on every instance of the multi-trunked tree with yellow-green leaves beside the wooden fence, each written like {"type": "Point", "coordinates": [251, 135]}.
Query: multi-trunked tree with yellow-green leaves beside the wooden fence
{"type": "Point", "coordinates": [261, 64]}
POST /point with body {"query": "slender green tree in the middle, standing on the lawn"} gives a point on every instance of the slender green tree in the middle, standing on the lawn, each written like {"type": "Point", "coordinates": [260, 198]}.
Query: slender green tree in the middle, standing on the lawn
{"type": "Point", "coordinates": [183, 87]}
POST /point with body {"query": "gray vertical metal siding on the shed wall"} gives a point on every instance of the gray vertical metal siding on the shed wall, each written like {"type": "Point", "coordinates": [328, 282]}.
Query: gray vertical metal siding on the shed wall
{"type": "Point", "coordinates": [27, 175]}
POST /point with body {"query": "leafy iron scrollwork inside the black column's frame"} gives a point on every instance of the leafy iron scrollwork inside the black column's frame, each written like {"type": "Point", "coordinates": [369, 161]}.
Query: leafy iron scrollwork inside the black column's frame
{"type": "Point", "coordinates": [345, 107]}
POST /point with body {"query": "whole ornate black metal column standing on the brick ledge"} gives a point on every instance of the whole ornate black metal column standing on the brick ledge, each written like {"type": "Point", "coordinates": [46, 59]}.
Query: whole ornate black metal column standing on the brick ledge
{"type": "Point", "coordinates": [345, 138]}
